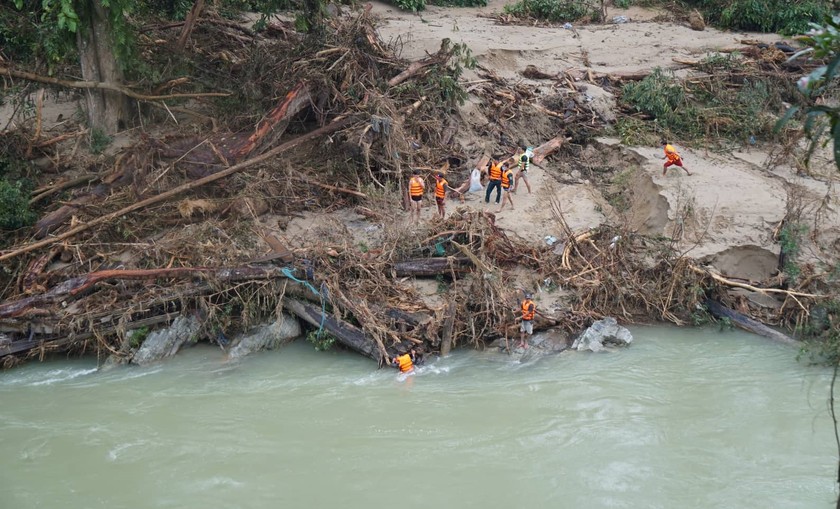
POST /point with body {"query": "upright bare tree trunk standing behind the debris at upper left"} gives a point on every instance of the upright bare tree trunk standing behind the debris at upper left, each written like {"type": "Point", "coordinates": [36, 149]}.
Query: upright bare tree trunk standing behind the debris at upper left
{"type": "Point", "coordinates": [107, 111]}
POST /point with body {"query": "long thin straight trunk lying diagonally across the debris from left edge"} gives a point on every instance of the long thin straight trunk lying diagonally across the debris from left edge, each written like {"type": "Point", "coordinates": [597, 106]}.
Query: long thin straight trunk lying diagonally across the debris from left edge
{"type": "Point", "coordinates": [334, 126]}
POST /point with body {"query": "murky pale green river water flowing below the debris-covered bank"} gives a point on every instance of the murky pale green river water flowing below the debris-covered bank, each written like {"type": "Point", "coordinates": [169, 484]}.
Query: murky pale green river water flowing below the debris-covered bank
{"type": "Point", "coordinates": [681, 419]}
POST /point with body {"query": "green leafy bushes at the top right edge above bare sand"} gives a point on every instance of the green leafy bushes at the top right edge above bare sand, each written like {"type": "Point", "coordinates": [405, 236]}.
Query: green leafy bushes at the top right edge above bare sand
{"type": "Point", "coordinates": [785, 16]}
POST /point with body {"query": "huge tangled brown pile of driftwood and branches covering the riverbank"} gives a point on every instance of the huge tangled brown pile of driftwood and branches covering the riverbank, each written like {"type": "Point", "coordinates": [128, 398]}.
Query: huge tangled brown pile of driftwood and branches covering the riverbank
{"type": "Point", "coordinates": [168, 226]}
